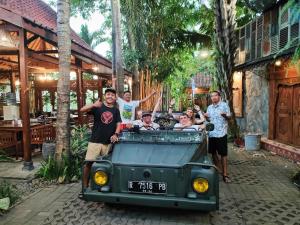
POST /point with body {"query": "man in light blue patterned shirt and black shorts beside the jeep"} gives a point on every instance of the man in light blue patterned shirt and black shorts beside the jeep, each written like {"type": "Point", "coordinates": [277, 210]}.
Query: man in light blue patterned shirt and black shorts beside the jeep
{"type": "Point", "coordinates": [218, 113]}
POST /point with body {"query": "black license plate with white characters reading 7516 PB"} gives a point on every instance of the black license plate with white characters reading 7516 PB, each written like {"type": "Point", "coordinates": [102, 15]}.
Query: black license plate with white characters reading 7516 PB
{"type": "Point", "coordinates": [147, 187]}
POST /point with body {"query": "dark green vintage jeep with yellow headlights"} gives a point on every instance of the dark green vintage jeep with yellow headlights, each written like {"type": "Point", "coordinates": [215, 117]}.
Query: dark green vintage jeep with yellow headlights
{"type": "Point", "coordinates": [163, 168]}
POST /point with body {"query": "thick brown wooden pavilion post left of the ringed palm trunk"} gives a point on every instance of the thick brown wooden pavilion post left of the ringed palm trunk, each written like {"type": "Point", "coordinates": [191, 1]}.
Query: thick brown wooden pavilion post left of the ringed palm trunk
{"type": "Point", "coordinates": [24, 96]}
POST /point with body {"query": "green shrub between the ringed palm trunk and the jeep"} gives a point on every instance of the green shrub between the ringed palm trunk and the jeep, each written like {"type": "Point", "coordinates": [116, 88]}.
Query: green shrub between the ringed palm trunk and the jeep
{"type": "Point", "coordinates": [70, 168]}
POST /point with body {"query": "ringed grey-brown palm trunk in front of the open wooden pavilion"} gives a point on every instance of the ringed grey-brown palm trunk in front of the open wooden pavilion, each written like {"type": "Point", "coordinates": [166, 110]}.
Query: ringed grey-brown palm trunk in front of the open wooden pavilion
{"type": "Point", "coordinates": [63, 85]}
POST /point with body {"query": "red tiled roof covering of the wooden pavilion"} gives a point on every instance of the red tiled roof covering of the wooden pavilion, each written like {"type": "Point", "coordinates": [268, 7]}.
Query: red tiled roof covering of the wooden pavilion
{"type": "Point", "coordinates": [40, 13]}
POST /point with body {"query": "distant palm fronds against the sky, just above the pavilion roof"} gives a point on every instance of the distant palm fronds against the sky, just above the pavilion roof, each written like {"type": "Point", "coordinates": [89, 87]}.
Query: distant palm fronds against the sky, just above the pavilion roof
{"type": "Point", "coordinates": [91, 38]}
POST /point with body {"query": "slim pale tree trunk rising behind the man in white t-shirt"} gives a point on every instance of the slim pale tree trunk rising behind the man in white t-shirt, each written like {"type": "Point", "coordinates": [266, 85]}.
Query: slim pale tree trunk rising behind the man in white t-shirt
{"type": "Point", "coordinates": [117, 62]}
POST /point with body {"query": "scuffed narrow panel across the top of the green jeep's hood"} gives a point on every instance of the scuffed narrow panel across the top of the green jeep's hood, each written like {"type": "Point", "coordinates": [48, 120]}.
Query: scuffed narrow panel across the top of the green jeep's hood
{"type": "Point", "coordinates": [163, 136]}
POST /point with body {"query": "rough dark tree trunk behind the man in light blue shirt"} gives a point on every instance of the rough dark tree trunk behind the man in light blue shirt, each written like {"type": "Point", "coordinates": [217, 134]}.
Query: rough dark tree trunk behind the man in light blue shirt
{"type": "Point", "coordinates": [225, 12]}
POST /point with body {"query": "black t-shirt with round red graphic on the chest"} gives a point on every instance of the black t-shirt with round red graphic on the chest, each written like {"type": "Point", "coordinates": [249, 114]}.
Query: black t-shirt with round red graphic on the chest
{"type": "Point", "coordinates": [105, 123]}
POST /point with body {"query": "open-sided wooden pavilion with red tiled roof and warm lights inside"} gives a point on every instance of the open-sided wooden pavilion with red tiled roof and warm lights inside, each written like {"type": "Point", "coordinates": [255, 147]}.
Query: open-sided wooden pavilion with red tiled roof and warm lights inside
{"type": "Point", "coordinates": [28, 49]}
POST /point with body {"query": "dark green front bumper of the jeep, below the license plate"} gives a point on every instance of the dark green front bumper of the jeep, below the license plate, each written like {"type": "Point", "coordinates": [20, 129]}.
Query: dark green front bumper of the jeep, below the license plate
{"type": "Point", "coordinates": [210, 204]}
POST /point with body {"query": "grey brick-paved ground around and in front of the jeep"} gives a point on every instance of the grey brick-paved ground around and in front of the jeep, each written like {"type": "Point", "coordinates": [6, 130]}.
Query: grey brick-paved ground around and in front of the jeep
{"type": "Point", "coordinates": [260, 193]}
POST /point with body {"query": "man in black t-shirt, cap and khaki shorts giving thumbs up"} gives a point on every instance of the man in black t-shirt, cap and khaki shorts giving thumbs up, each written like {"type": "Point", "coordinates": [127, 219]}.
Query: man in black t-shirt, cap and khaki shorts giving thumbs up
{"type": "Point", "coordinates": [106, 129]}
